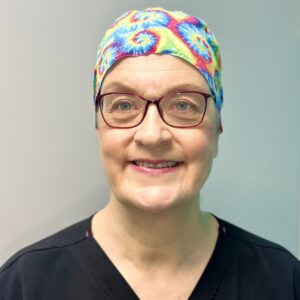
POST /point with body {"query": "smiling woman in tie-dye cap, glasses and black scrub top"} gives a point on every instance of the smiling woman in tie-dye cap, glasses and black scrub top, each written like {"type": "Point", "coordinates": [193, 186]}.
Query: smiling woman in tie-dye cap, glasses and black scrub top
{"type": "Point", "coordinates": [158, 98]}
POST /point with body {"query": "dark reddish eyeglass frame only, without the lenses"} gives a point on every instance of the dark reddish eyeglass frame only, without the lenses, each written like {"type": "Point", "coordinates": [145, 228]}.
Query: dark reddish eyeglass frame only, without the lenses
{"type": "Point", "coordinates": [98, 102]}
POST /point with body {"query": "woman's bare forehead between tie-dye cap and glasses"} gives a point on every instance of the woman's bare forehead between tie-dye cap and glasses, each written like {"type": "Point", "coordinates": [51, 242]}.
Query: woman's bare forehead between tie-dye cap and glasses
{"type": "Point", "coordinates": [159, 72]}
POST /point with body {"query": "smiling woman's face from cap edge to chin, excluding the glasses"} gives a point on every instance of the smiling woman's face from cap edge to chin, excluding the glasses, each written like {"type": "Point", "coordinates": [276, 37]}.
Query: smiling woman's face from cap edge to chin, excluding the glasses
{"type": "Point", "coordinates": [130, 155]}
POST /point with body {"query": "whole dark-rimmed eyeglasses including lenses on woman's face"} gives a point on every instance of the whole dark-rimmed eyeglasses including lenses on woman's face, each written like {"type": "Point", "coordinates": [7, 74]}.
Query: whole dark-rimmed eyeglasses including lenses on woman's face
{"type": "Point", "coordinates": [179, 109]}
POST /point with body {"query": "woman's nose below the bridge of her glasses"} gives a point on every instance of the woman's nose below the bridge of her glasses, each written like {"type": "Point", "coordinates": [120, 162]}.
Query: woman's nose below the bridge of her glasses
{"type": "Point", "coordinates": [152, 132]}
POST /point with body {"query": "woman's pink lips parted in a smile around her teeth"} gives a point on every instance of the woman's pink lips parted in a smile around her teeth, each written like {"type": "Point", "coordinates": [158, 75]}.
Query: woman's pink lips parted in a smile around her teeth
{"type": "Point", "coordinates": [152, 171]}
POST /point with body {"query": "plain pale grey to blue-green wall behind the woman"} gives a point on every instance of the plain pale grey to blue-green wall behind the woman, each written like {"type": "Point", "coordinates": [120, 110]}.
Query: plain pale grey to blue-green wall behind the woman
{"type": "Point", "coordinates": [50, 172]}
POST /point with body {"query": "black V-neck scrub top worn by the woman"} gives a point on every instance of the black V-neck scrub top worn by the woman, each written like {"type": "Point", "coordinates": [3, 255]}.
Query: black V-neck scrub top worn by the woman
{"type": "Point", "coordinates": [71, 265]}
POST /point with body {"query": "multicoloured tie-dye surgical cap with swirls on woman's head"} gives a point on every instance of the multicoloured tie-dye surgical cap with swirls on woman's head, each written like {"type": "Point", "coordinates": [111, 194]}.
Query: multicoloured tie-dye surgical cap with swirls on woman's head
{"type": "Point", "coordinates": [158, 31]}
